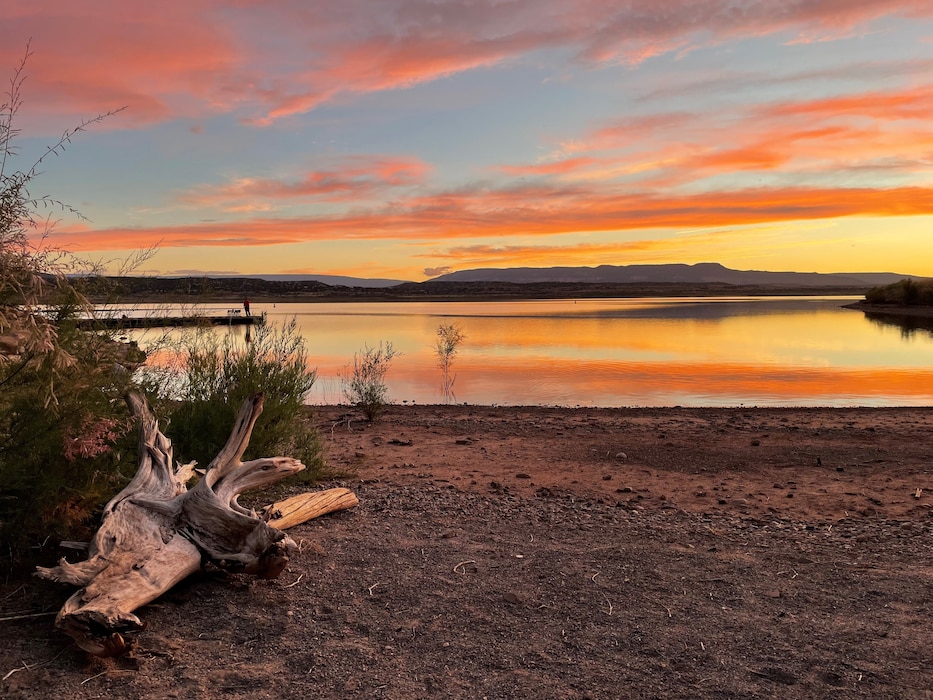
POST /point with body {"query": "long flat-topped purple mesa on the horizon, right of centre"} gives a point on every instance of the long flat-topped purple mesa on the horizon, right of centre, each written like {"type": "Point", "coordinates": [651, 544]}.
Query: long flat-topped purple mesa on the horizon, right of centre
{"type": "Point", "coordinates": [700, 273]}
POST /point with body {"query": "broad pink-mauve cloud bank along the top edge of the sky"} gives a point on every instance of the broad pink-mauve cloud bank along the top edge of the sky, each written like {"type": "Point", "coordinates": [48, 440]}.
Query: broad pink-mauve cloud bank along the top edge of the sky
{"type": "Point", "coordinates": [266, 61]}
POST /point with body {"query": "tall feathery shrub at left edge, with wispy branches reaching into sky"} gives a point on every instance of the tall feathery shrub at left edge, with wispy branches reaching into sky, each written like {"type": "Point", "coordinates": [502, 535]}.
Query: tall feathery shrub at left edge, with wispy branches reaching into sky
{"type": "Point", "coordinates": [62, 421]}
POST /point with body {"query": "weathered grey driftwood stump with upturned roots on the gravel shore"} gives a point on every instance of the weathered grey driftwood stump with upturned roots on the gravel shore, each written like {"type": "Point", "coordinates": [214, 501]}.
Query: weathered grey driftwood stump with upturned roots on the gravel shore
{"type": "Point", "coordinates": [156, 531]}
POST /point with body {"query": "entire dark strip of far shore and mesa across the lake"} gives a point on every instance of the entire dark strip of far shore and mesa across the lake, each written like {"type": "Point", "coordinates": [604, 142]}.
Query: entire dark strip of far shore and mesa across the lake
{"type": "Point", "coordinates": [604, 281]}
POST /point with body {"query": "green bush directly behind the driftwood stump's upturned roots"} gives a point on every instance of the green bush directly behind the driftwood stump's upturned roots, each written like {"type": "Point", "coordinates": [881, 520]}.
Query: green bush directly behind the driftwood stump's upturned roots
{"type": "Point", "coordinates": [200, 394]}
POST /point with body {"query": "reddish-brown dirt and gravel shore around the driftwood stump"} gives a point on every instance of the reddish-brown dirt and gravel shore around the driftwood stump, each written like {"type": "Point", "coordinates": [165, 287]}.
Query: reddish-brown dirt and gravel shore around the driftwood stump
{"type": "Point", "coordinates": [558, 553]}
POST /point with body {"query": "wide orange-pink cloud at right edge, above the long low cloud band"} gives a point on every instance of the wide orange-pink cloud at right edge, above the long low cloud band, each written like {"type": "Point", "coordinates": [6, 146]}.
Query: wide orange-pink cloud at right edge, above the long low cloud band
{"type": "Point", "coordinates": [884, 131]}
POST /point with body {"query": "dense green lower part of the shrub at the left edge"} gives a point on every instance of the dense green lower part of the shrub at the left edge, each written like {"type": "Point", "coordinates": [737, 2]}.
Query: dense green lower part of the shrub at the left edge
{"type": "Point", "coordinates": [66, 438]}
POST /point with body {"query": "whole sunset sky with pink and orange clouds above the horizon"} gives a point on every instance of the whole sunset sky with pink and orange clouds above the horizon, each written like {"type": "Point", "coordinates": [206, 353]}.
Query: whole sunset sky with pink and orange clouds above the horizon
{"type": "Point", "coordinates": [404, 139]}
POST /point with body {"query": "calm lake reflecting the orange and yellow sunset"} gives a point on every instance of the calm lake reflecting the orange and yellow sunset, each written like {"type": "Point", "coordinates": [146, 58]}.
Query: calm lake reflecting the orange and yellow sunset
{"type": "Point", "coordinates": [762, 351]}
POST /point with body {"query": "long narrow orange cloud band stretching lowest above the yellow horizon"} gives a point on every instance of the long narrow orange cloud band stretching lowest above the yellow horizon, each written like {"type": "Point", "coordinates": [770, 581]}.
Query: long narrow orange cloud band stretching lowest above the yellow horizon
{"type": "Point", "coordinates": [527, 211]}
